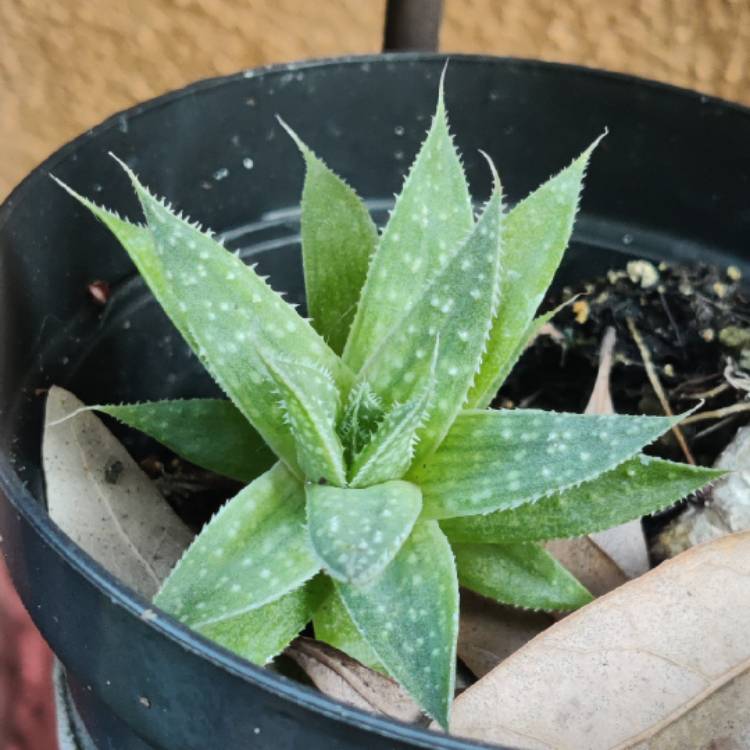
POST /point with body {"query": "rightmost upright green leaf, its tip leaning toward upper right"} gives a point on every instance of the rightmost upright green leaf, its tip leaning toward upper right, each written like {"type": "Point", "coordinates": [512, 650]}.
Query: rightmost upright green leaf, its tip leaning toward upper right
{"type": "Point", "coordinates": [536, 234]}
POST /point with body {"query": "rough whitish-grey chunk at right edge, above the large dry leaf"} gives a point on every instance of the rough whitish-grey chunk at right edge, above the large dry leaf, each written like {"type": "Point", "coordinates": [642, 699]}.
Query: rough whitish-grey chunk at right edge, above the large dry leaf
{"type": "Point", "coordinates": [727, 509]}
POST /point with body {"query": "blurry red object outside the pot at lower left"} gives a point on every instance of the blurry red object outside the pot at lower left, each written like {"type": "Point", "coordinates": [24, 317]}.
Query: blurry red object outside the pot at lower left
{"type": "Point", "coordinates": [27, 714]}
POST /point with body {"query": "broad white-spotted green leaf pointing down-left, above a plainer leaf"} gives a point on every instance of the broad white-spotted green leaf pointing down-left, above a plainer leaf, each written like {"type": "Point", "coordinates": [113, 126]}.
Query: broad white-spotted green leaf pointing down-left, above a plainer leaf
{"type": "Point", "coordinates": [252, 552]}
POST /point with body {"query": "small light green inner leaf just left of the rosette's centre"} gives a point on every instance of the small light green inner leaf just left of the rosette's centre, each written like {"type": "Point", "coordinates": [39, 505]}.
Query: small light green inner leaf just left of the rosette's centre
{"type": "Point", "coordinates": [310, 403]}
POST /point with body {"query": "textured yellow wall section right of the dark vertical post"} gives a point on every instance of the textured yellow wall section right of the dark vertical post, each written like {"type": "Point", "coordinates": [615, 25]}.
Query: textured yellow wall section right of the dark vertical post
{"type": "Point", "coordinates": [701, 44]}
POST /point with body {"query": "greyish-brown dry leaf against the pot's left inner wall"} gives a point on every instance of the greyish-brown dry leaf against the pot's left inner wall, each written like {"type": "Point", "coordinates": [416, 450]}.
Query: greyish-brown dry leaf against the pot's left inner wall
{"type": "Point", "coordinates": [102, 500]}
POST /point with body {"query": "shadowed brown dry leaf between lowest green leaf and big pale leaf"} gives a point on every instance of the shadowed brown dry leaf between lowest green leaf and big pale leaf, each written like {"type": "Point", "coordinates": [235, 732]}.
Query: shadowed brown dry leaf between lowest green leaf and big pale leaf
{"type": "Point", "coordinates": [489, 632]}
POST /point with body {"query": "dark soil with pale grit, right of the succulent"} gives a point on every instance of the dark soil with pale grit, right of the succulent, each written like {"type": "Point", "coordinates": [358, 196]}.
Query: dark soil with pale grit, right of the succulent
{"type": "Point", "coordinates": [695, 323]}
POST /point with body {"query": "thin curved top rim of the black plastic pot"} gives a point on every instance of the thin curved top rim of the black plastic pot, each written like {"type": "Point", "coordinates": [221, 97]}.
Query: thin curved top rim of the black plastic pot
{"type": "Point", "coordinates": [120, 594]}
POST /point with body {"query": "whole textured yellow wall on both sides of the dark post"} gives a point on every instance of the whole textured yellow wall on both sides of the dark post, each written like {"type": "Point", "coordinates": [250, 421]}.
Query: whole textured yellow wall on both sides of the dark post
{"type": "Point", "coordinates": [67, 64]}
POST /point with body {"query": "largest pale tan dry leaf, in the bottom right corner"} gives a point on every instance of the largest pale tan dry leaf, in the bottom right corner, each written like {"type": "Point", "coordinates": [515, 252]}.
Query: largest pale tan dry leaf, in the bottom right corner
{"type": "Point", "coordinates": [660, 663]}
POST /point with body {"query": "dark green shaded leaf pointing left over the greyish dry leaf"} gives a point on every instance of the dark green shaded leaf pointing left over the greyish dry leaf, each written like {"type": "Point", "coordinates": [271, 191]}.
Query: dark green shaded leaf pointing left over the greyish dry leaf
{"type": "Point", "coordinates": [208, 432]}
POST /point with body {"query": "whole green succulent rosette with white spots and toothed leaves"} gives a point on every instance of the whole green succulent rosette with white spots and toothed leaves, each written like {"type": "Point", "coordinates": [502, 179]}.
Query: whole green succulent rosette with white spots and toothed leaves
{"type": "Point", "coordinates": [377, 477]}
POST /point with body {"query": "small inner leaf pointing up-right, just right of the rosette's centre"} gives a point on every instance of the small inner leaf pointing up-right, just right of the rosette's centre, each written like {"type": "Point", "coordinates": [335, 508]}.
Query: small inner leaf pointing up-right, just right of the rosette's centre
{"type": "Point", "coordinates": [390, 451]}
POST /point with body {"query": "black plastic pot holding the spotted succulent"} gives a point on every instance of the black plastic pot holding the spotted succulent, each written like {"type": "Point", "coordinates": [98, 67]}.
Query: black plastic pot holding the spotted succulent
{"type": "Point", "coordinates": [670, 181]}
